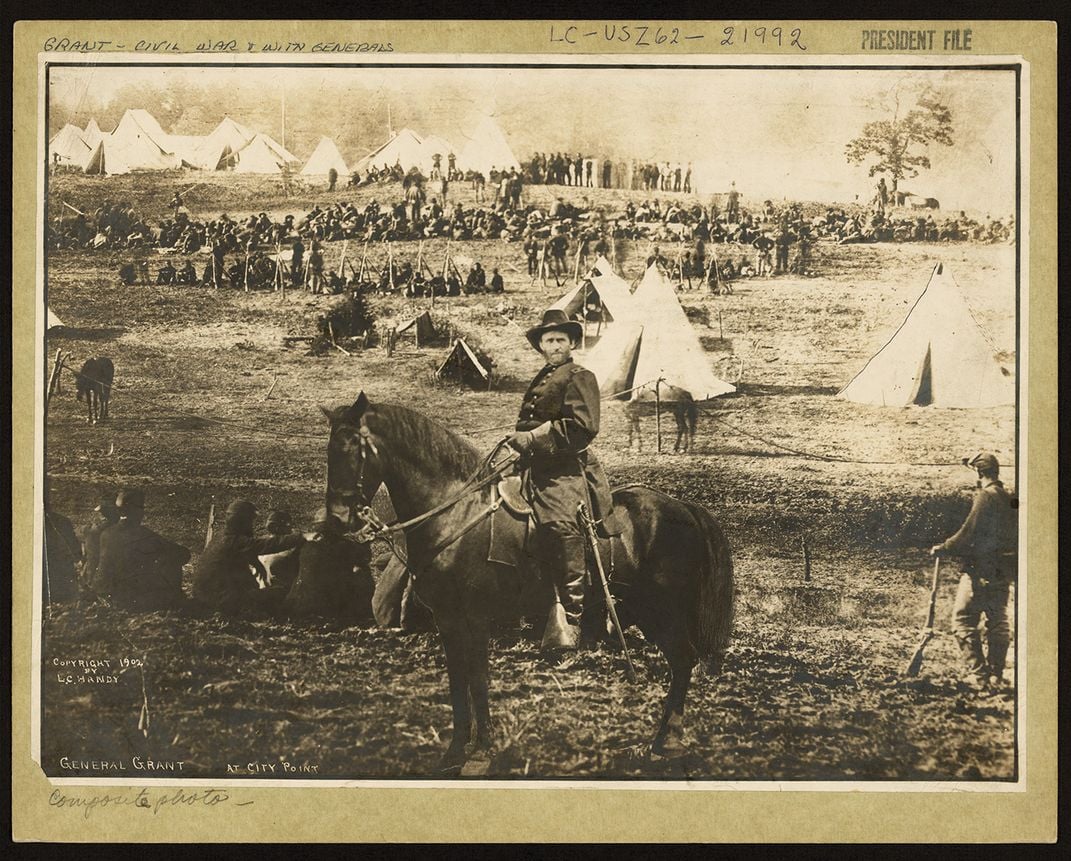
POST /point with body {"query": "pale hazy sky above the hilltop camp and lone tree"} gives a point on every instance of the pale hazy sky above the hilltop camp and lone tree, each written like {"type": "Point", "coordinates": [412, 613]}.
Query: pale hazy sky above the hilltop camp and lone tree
{"type": "Point", "coordinates": [776, 132]}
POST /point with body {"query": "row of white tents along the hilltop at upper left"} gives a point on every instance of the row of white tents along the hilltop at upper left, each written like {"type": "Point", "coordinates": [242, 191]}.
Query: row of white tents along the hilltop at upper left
{"type": "Point", "coordinates": [140, 143]}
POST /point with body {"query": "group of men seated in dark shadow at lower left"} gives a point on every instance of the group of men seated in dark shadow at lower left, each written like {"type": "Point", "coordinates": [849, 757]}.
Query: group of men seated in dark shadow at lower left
{"type": "Point", "coordinates": [280, 572]}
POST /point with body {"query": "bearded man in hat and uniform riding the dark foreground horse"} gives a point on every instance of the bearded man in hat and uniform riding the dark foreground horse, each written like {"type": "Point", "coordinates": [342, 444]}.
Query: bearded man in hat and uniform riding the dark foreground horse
{"type": "Point", "coordinates": [559, 421]}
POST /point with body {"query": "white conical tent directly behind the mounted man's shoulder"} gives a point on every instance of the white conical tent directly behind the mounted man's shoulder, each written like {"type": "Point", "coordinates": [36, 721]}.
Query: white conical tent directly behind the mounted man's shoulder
{"type": "Point", "coordinates": [655, 341]}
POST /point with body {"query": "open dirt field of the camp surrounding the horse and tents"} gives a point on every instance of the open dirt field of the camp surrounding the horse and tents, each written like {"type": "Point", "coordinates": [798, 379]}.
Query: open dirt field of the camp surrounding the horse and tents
{"type": "Point", "coordinates": [812, 689]}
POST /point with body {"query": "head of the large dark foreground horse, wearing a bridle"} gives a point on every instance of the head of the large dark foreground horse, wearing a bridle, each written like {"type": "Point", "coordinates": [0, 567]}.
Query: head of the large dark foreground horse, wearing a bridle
{"type": "Point", "coordinates": [354, 469]}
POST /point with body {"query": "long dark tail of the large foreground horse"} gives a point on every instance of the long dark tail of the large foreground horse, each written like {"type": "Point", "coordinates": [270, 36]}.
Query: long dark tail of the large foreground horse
{"type": "Point", "coordinates": [713, 612]}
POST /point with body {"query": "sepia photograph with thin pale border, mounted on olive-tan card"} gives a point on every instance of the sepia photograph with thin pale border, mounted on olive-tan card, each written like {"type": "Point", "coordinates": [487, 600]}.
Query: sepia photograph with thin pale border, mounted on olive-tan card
{"type": "Point", "coordinates": [532, 420]}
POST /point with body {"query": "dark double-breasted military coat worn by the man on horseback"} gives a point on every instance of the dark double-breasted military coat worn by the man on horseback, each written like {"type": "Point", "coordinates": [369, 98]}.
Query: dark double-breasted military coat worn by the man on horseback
{"type": "Point", "coordinates": [562, 410]}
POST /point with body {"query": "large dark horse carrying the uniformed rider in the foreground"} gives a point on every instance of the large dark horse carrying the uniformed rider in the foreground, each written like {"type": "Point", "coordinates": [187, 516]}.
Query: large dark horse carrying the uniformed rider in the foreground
{"type": "Point", "coordinates": [672, 558]}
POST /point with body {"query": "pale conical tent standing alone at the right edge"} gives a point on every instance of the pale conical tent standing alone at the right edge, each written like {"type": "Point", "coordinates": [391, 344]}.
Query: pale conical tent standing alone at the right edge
{"type": "Point", "coordinates": [939, 357]}
